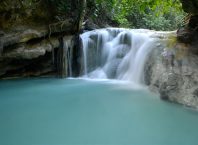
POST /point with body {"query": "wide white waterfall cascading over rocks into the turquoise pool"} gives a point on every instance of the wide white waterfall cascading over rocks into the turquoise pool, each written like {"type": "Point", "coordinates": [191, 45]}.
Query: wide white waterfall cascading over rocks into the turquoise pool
{"type": "Point", "coordinates": [117, 53]}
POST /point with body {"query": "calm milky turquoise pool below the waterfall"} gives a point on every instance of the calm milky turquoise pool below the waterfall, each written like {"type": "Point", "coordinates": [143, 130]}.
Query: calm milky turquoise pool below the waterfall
{"type": "Point", "coordinates": [69, 111]}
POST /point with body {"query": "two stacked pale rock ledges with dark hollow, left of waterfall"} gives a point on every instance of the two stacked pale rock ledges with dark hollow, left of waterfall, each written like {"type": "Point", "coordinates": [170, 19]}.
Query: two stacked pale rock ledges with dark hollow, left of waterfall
{"type": "Point", "coordinates": [30, 52]}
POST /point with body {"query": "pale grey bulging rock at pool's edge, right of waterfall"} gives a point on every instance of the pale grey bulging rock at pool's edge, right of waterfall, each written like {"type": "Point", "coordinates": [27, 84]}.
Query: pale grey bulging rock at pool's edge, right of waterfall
{"type": "Point", "coordinates": [178, 84]}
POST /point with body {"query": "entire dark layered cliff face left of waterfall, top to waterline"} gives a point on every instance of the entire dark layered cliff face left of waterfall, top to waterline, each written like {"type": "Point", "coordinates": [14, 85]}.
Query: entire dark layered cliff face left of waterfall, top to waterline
{"type": "Point", "coordinates": [30, 34]}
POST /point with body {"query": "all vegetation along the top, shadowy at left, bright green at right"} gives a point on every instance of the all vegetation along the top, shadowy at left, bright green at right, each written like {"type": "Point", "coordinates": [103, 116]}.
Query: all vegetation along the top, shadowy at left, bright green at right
{"type": "Point", "coordinates": [149, 14]}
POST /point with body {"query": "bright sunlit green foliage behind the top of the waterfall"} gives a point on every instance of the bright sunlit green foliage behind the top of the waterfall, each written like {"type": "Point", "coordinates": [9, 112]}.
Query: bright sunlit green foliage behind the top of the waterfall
{"type": "Point", "coordinates": [152, 14]}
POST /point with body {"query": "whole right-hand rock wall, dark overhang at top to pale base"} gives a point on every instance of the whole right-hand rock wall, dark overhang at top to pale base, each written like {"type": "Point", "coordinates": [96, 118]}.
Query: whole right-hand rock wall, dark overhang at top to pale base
{"type": "Point", "coordinates": [176, 78]}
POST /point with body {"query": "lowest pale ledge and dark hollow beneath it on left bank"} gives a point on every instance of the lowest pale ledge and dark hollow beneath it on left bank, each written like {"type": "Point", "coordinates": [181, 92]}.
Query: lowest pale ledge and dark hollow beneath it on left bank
{"type": "Point", "coordinates": [33, 58]}
